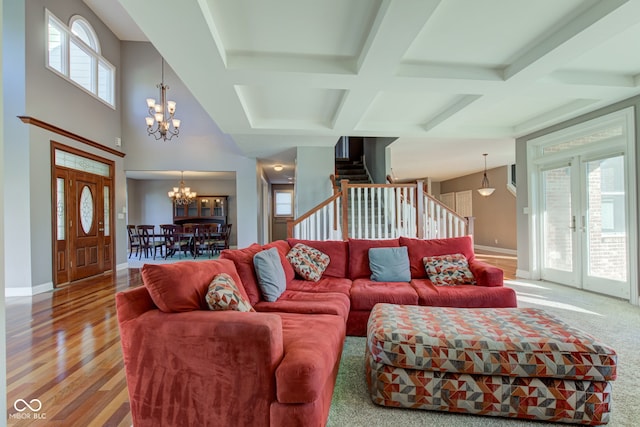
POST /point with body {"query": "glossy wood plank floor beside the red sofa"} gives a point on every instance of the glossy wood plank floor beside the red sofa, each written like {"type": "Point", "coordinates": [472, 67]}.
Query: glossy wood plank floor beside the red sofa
{"type": "Point", "coordinates": [63, 348]}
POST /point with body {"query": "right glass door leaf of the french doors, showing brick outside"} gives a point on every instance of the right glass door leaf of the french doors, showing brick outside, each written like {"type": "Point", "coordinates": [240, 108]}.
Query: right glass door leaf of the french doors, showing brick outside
{"type": "Point", "coordinates": [605, 227]}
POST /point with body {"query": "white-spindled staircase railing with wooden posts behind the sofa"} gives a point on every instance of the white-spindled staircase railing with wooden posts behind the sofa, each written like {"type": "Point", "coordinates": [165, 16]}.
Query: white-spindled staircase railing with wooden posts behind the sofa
{"type": "Point", "coordinates": [379, 211]}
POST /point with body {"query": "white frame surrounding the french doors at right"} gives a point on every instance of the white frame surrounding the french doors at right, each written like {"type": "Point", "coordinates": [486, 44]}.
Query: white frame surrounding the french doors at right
{"type": "Point", "coordinates": [624, 116]}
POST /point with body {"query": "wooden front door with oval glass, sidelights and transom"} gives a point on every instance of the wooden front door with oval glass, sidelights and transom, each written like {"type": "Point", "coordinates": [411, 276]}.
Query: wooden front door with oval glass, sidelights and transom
{"type": "Point", "coordinates": [82, 215]}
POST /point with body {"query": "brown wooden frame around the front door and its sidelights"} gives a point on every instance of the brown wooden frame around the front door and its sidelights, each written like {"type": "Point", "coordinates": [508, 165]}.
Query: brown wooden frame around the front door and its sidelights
{"type": "Point", "coordinates": [54, 169]}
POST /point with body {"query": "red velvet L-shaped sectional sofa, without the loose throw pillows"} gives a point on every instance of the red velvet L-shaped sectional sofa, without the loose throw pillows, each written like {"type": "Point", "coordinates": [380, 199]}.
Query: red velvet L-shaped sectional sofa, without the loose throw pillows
{"type": "Point", "coordinates": [277, 366]}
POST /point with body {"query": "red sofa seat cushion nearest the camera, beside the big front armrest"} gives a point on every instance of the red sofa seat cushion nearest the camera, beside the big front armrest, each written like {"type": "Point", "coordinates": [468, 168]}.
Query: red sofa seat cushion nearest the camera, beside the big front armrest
{"type": "Point", "coordinates": [310, 354]}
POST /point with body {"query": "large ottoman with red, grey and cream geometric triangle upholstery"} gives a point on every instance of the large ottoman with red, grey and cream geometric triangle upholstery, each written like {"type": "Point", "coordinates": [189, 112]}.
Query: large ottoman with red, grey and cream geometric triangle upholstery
{"type": "Point", "coordinates": [507, 362]}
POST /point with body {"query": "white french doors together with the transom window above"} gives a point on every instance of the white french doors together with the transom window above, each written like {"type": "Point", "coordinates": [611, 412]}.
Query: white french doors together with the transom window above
{"type": "Point", "coordinates": [585, 208]}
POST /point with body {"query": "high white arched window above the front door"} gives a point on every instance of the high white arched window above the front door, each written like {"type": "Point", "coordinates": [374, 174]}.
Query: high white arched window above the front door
{"type": "Point", "coordinates": [73, 52]}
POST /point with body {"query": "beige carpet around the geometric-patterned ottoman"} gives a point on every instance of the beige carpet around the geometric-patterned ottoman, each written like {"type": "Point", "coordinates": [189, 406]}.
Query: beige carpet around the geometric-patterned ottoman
{"type": "Point", "coordinates": [615, 322]}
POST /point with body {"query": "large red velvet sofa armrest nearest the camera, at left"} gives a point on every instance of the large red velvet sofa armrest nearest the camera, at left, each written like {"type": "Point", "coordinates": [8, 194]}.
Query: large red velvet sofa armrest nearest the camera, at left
{"type": "Point", "coordinates": [194, 367]}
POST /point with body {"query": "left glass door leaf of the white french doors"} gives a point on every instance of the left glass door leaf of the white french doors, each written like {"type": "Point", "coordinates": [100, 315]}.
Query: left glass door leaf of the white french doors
{"type": "Point", "coordinates": [558, 226]}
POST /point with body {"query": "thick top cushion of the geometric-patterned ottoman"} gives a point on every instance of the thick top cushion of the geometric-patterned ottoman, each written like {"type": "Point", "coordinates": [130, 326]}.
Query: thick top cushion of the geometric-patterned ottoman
{"type": "Point", "coordinates": [519, 342]}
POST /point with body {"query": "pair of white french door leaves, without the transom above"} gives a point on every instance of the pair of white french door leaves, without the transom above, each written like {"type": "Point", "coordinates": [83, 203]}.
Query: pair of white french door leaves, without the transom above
{"type": "Point", "coordinates": [584, 224]}
